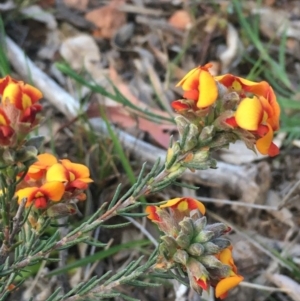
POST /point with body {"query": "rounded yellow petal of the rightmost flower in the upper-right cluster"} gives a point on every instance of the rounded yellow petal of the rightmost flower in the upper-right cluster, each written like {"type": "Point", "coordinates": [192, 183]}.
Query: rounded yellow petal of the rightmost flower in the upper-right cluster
{"type": "Point", "coordinates": [249, 114]}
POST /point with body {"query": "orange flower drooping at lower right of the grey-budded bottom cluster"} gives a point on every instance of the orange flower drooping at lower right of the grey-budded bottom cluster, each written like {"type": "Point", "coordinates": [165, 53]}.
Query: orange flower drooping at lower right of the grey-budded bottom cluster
{"type": "Point", "coordinates": [225, 284]}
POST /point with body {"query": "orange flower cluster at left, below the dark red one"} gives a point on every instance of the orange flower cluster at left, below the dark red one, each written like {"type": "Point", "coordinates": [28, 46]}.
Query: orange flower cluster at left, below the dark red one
{"type": "Point", "coordinates": [49, 181]}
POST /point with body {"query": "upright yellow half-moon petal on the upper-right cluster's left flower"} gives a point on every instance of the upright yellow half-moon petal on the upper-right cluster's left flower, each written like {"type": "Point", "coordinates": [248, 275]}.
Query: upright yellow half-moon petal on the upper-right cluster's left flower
{"type": "Point", "coordinates": [208, 90]}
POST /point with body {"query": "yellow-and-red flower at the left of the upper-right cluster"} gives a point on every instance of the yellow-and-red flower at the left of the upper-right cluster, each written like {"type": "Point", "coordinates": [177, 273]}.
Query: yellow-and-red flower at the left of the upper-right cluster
{"type": "Point", "coordinates": [200, 87]}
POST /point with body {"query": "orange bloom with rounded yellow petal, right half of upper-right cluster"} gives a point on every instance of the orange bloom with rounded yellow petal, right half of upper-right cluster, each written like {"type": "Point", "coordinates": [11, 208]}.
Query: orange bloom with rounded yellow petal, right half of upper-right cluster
{"type": "Point", "coordinates": [258, 113]}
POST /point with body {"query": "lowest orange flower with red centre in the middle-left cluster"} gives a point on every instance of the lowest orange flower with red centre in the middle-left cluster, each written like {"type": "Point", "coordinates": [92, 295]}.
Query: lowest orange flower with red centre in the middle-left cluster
{"type": "Point", "coordinates": [41, 196]}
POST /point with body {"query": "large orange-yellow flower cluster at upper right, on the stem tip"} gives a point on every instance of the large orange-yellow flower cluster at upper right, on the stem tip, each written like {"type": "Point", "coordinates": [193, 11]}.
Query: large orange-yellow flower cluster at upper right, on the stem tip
{"type": "Point", "coordinates": [231, 104]}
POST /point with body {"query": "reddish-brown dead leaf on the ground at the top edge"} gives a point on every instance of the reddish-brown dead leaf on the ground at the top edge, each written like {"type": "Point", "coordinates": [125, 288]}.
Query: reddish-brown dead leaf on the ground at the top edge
{"type": "Point", "coordinates": [108, 19]}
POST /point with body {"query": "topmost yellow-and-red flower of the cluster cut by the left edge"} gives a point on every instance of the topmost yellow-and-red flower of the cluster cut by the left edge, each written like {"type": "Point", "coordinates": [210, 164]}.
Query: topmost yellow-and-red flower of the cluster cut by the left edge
{"type": "Point", "coordinates": [18, 93]}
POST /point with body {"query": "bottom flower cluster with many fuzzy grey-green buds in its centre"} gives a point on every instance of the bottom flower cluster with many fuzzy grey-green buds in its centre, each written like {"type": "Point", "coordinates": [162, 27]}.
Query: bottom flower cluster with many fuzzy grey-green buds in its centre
{"type": "Point", "coordinates": [194, 247]}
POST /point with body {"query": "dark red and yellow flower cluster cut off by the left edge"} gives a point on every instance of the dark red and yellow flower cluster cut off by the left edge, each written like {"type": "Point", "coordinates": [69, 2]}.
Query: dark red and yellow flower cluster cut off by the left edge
{"type": "Point", "coordinates": [18, 110]}
